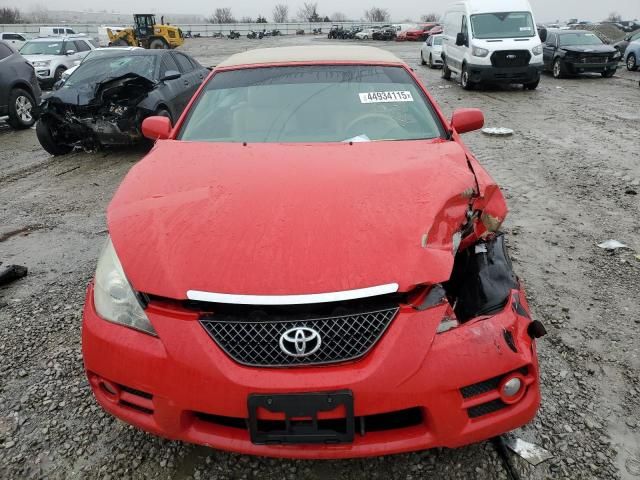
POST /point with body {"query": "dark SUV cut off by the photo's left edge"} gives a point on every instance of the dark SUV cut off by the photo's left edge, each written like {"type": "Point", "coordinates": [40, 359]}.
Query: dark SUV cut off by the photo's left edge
{"type": "Point", "coordinates": [19, 89]}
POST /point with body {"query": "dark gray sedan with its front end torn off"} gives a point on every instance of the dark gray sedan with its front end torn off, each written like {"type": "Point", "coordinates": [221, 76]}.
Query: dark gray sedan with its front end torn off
{"type": "Point", "coordinates": [104, 102]}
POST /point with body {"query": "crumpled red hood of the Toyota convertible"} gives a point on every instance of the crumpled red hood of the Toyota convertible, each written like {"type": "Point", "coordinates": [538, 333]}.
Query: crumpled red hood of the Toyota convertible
{"type": "Point", "coordinates": [272, 219]}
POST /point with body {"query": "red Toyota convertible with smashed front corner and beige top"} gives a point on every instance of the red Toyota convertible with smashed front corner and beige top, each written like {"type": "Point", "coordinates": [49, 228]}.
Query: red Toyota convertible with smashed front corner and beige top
{"type": "Point", "coordinates": [309, 265]}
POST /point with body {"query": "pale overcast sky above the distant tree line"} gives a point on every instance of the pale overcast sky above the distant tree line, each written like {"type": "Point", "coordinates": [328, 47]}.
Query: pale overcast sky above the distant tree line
{"type": "Point", "coordinates": [545, 10]}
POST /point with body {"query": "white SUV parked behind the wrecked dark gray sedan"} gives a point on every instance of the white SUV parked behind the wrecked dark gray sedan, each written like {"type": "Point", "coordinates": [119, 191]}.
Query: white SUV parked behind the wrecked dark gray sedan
{"type": "Point", "coordinates": [51, 56]}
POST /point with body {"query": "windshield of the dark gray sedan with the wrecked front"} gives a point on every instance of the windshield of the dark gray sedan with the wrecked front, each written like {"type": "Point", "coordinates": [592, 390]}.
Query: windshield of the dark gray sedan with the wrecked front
{"type": "Point", "coordinates": [106, 67]}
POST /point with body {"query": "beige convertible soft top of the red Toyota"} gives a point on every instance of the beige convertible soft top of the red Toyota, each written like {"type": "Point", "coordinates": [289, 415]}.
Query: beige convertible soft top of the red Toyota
{"type": "Point", "coordinates": [311, 54]}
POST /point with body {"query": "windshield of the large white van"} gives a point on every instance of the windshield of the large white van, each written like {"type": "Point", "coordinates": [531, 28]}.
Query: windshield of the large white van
{"type": "Point", "coordinates": [503, 25]}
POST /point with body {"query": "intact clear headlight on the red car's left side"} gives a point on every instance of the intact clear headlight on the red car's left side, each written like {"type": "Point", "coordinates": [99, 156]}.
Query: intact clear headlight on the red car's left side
{"type": "Point", "coordinates": [114, 299]}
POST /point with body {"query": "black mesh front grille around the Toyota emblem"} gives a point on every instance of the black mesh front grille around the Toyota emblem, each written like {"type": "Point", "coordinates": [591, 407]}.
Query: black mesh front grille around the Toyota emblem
{"type": "Point", "coordinates": [257, 342]}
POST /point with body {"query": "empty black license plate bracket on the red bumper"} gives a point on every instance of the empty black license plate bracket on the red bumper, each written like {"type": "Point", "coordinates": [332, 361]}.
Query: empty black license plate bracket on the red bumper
{"type": "Point", "coordinates": [301, 423]}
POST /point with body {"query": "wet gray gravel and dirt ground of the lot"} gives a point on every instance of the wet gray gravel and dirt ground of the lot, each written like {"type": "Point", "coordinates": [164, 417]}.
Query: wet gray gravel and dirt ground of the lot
{"type": "Point", "coordinates": [571, 174]}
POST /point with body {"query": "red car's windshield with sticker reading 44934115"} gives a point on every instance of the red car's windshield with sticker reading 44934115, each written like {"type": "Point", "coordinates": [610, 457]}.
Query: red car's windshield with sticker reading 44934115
{"type": "Point", "coordinates": [311, 104]}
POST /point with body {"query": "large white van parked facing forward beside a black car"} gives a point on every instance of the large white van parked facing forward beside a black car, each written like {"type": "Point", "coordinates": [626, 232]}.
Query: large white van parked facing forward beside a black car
{"type": "Point", "coordinates": [492, 41]}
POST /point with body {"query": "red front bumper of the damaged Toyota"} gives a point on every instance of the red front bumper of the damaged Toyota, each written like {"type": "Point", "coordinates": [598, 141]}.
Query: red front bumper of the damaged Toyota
{"type": "Point", "coordinates": [182, 386]}
